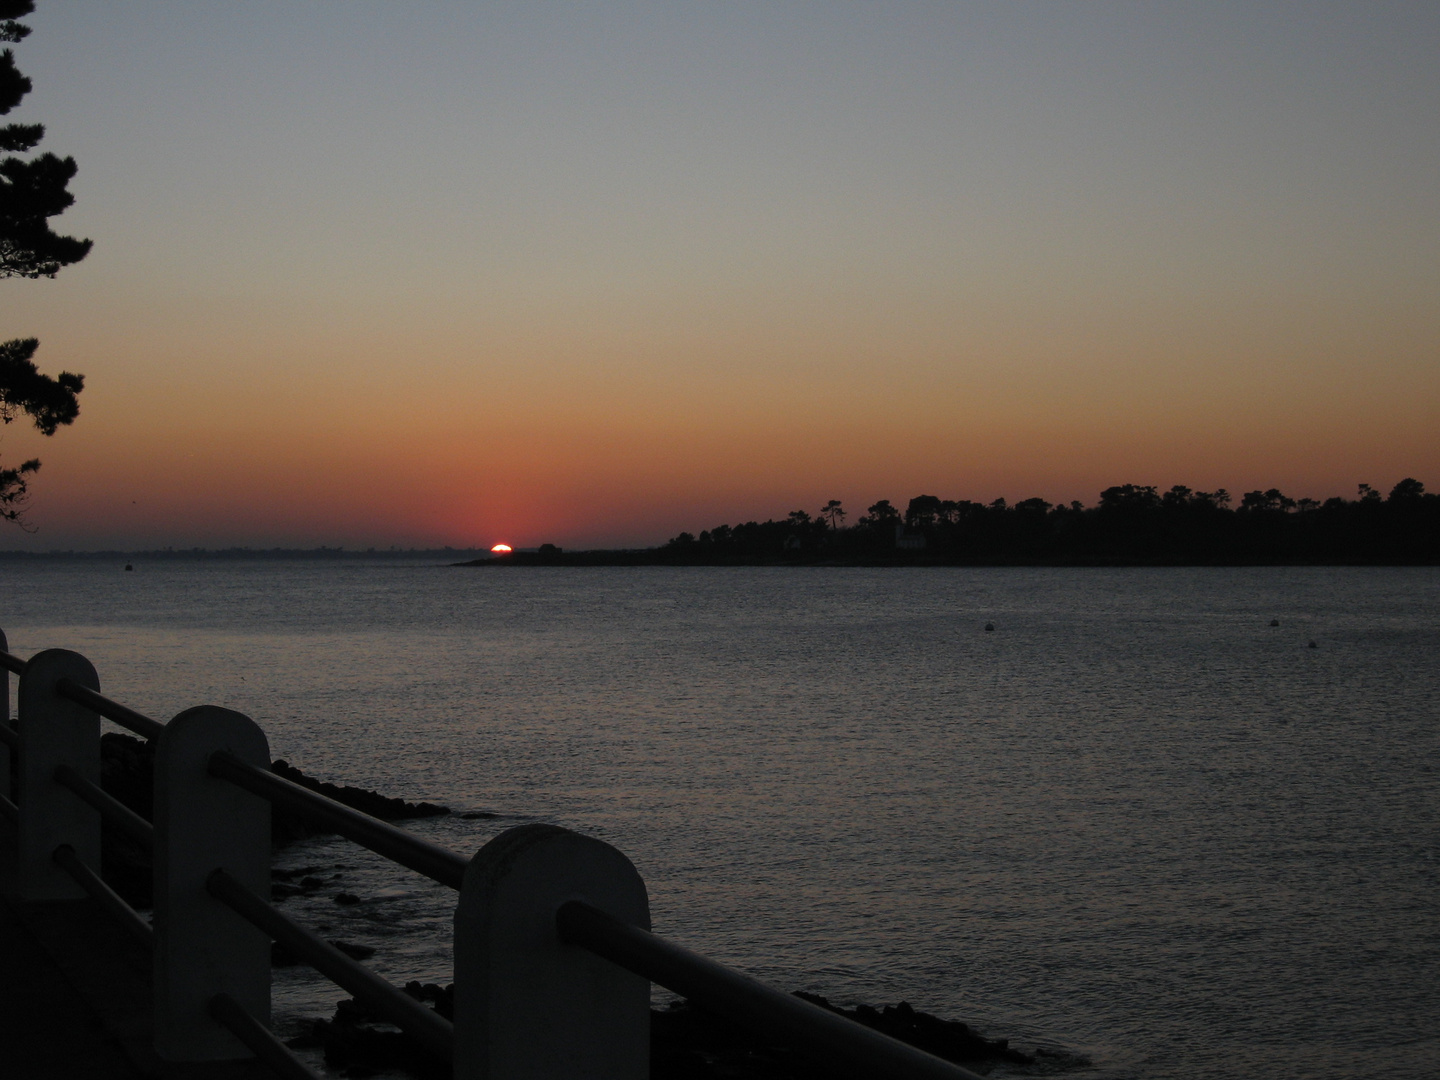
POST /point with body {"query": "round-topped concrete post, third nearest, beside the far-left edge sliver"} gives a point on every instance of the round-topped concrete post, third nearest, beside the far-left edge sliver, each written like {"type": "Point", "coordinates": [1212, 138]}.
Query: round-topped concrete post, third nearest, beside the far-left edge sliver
{"type": "Point", "coordinates": [55, 731]}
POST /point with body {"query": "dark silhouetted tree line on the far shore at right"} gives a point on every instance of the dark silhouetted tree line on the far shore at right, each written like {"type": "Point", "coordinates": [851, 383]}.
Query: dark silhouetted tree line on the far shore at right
{"type": "Point", "coordinates": [1131, 525]}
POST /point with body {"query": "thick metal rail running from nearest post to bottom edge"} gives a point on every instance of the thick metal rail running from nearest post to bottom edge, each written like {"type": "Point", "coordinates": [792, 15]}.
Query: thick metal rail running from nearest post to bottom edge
{"type": "Point", "coordinates": [850, 1048]}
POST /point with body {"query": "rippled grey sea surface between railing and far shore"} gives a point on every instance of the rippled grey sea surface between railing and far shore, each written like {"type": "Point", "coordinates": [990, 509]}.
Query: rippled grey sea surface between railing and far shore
{"type": "Point", "coordinates": [1134, 822]}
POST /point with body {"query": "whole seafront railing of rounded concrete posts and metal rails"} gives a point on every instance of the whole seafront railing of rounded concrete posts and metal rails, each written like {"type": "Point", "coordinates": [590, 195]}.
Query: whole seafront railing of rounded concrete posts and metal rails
{"type": "Point", "coordinates": [554, 953]}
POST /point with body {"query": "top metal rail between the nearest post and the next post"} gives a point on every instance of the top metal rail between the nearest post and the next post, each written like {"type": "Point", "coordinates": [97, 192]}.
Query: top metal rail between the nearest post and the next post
{"type": "Point", "coordinates": [437, 863]}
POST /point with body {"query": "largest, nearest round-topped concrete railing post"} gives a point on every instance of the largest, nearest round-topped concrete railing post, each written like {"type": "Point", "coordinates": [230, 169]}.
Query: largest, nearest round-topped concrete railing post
{"type": "Point", "coordinates": [528, 1006]}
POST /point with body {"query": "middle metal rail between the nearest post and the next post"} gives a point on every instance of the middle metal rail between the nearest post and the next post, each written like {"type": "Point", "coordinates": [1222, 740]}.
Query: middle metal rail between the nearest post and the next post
{"type": "Point", "coordinates": [426, 1026]}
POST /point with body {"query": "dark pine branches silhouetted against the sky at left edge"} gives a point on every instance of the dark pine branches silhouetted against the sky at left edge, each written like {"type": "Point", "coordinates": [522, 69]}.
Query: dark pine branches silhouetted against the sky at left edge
{"type": "Point", "coordinates": [31, 194]}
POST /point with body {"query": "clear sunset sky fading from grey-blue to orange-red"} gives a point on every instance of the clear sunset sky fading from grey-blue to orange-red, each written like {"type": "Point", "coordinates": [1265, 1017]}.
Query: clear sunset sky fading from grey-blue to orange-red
{"type": "Point", "coordinates": [430, 273]}
